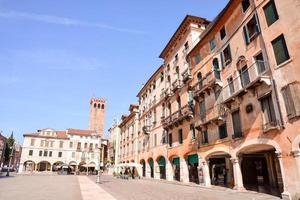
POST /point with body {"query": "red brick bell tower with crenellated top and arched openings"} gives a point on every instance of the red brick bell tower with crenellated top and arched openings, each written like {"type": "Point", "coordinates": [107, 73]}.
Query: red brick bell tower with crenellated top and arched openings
{"type": "Point", "coordinates": [97, 114]}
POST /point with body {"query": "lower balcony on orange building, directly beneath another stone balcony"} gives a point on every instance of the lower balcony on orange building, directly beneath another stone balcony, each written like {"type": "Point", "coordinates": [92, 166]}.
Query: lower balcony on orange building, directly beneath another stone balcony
{"type": "Point", "coordinates": [214, 114]}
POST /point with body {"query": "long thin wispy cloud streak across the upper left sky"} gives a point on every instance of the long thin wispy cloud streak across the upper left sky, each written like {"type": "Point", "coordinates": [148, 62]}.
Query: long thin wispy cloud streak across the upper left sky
{"type": "Point", "coordinates": [63, 21]}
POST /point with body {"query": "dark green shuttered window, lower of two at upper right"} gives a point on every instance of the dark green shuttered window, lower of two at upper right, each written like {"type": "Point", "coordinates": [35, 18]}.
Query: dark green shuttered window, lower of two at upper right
{"type": "Point", "coordinates": [280, 50]}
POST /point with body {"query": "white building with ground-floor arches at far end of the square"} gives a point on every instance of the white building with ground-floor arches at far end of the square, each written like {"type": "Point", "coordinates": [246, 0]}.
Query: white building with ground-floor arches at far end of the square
{"type": "Point", "coordinates": [48, 150]}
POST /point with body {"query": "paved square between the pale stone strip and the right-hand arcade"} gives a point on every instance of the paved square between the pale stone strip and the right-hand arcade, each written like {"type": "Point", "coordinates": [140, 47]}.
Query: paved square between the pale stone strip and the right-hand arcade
{"type": "Point", "coordinates": [145, 189]}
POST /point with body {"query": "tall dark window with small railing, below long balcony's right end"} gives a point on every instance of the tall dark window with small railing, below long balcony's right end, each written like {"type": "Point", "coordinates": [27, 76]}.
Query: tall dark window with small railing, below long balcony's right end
{"type": "Point", "coordinates": [268, 111]}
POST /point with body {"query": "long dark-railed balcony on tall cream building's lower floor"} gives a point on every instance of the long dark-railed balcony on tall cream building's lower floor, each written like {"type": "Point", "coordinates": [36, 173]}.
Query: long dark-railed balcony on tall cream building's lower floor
{"type": "Point", "coordinates": [175, 119]}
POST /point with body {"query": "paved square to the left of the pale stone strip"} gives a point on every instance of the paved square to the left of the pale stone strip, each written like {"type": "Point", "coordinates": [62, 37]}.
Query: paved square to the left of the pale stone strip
{"type": "Point", "coordinates": [39, 187]}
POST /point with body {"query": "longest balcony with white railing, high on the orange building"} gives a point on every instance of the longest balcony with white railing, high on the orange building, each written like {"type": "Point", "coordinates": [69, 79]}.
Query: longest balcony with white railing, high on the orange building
{"type": "Point", "coordinates": [251, 77]}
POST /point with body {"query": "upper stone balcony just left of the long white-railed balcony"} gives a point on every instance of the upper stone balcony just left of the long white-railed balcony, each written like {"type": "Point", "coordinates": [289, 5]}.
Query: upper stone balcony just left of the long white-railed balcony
{"type": "Point", "coordinates": [207, 83]}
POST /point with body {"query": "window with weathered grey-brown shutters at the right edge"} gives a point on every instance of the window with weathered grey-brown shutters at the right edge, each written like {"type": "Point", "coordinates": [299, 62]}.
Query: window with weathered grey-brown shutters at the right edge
{"type": "Point", "coordinates": [291, 98]}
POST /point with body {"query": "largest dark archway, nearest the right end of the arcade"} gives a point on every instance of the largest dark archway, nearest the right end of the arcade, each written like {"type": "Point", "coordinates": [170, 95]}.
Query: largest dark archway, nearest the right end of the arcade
{"type": "Point", "coordinates": [260, 169]}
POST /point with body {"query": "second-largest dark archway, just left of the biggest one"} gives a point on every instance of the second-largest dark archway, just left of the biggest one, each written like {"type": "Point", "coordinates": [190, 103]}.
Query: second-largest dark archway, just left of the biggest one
{"type": "Point", "coordinates": [221, 169]}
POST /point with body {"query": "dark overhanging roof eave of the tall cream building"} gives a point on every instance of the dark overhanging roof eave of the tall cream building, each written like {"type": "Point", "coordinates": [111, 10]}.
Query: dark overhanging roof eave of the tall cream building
{"type": "Point", "coordinates": [186, 21]}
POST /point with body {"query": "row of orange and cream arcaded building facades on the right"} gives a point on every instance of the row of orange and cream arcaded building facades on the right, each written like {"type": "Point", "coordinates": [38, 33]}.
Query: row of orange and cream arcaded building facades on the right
{"type": "Point", "coordinates": [224, 107]}
